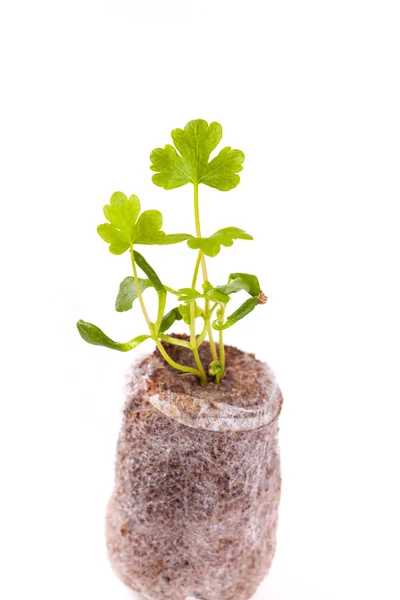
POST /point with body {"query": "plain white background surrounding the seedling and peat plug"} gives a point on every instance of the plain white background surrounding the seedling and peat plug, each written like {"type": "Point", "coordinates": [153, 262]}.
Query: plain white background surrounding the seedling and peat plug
{"type": "Point", "coordinates": [310, 91]}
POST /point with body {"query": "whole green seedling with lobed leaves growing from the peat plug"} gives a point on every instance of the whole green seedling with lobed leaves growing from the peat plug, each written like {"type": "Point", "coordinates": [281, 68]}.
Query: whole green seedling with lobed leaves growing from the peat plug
{"type": "Point", "coordinates": [187, 161]}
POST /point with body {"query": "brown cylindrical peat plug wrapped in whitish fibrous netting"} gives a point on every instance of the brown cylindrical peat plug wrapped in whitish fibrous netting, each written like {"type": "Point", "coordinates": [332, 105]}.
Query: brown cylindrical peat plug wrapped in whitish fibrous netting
{"type": "Point", "coordinates": [195, 507]}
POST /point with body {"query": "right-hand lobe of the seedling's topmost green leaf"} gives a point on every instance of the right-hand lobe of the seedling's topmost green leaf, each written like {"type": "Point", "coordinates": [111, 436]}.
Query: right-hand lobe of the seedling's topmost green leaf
{"type": "Point", "coordinates": [222, 171]}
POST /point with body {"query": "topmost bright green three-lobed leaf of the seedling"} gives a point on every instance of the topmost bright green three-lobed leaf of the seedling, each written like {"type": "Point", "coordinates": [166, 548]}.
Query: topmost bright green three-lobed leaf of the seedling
{"type": "Point", "coordinates": [191, 163]}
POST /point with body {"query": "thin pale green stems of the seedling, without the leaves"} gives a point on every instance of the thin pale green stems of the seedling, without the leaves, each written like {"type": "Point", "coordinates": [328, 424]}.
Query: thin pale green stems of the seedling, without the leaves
{"type": "Point", "coordinates": [195, 340]}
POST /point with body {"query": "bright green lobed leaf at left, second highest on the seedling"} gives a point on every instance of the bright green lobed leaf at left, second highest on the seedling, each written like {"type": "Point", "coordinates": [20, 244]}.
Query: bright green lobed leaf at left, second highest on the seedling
{"type": "Point", "coordinates": [126, 229]}
